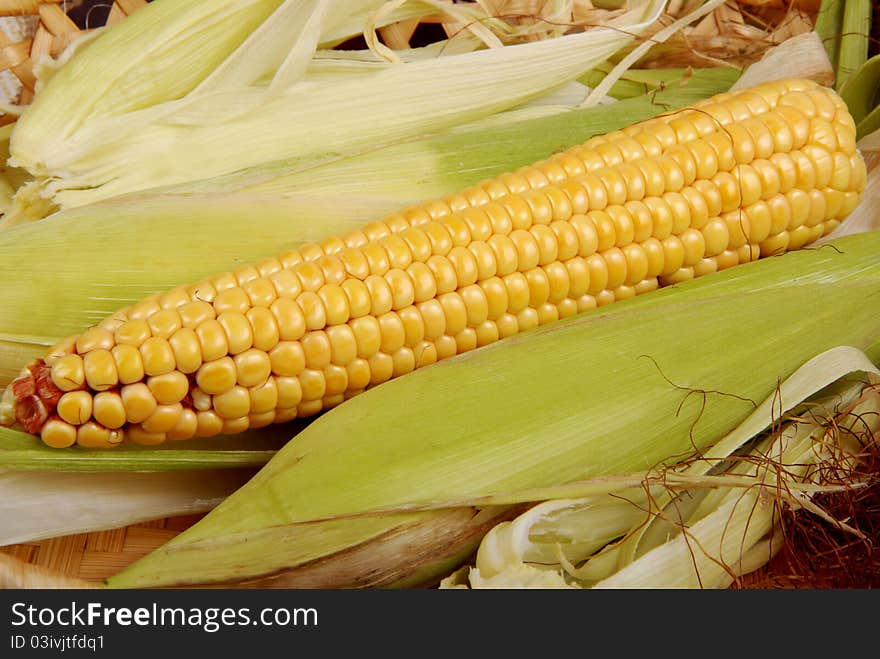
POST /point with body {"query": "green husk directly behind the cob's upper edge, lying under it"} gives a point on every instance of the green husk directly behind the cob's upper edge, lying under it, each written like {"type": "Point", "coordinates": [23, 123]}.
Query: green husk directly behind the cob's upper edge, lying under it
{"type": "Point", "coordinates": [81, 280]}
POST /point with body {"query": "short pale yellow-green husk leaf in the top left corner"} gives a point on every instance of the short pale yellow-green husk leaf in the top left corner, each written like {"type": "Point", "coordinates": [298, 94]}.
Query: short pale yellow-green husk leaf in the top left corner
{"type": "Point", "coordinates": [98, 82]}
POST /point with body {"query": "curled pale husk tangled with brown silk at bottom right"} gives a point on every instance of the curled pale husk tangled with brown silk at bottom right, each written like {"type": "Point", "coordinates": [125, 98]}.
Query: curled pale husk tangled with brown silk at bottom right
{"type": "Point", "coordinates": [727, 500]}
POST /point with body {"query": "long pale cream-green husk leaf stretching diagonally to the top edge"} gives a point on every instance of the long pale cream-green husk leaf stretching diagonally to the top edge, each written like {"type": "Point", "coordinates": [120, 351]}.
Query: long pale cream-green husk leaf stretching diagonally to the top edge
{"type": "Point", "coordinates": [104, 158]}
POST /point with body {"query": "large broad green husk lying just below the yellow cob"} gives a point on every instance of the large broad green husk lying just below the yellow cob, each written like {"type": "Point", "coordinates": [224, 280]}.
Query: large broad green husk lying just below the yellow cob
{"type": "Point", "coordinates": [390, 490]}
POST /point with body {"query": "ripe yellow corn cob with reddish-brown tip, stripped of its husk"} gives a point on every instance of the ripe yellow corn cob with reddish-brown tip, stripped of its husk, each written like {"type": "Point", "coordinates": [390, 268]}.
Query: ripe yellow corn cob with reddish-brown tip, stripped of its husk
{"type": "Point", "coordinates": [726, 181]}
